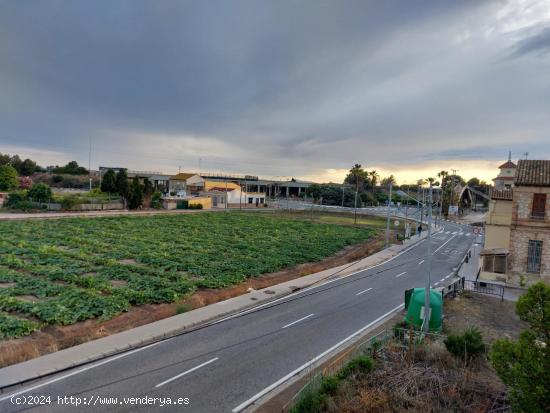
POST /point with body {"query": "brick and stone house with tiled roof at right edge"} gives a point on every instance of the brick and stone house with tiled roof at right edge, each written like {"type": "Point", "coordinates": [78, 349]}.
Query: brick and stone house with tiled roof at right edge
{"type": "Point", "coordinates": [529, 251]}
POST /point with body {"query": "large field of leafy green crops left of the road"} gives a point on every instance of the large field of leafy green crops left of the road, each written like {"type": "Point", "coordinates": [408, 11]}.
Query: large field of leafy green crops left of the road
{"type": "Point", "coordinates": [62, 271]}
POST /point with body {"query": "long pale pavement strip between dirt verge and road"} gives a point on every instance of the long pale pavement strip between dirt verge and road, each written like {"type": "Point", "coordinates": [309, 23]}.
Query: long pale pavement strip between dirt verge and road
{"type": "Point", "coordinates": [153, 332]}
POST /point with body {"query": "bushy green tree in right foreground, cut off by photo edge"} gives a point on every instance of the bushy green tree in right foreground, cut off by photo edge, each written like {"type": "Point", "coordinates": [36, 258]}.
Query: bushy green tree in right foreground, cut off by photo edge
{"type": "Point", "coordinates": [524, 365]}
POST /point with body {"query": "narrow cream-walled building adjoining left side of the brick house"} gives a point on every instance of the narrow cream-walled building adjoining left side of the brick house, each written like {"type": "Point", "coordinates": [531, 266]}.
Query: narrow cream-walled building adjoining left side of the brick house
{"type": "Point", "coordinates": [498, 221]}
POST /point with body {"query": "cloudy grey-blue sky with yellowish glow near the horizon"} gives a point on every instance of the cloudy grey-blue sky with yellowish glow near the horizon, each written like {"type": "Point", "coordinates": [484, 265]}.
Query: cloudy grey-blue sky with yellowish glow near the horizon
{"type": "Point", "coordinates": [278, 88]}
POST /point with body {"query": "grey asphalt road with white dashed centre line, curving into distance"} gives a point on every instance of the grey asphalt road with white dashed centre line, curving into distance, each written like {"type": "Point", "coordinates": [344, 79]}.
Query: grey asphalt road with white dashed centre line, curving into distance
{"type": "Point", "coordinates": [224, 366]}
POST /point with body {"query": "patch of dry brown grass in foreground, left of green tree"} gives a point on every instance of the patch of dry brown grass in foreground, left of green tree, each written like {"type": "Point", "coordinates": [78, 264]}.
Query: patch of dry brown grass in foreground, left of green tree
{"type": "Point", "coordinates": [432, 381]}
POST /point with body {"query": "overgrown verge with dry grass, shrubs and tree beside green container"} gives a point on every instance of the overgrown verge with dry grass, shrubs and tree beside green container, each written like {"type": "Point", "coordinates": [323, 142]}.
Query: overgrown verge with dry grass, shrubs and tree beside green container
{"type": "Point", "coordinates": [472, 370]}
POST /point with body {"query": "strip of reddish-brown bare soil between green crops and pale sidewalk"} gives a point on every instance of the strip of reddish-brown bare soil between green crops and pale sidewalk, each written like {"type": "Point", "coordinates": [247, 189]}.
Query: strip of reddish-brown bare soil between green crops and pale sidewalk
{"type": "Point", "coordinates": [54, 338]}
